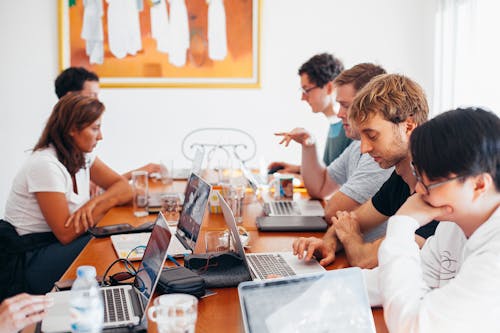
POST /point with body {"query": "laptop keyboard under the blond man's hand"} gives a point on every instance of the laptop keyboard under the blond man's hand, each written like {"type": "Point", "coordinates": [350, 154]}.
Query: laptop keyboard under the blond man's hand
{"type": "Point", "coordinates": [270, 265]}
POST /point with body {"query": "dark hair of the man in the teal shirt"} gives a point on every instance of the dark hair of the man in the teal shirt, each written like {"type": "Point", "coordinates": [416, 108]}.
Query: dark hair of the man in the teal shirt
{"type": "Point", "coordinates": [322, 68]}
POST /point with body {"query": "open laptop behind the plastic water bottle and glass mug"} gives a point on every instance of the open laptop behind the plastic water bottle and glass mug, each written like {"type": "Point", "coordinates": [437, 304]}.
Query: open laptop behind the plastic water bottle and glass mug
{"type": "Point", "coordinates": [131, 300]}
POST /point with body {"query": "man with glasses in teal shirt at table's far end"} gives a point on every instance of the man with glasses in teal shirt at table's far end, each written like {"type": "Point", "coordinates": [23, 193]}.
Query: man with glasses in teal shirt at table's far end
{"type": "Point", "coordinates": [316, 80]}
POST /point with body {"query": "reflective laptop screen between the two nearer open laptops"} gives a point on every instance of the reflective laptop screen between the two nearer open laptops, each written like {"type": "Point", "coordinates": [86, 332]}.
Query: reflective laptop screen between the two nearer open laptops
{"type": "Point", "coordinates": [193, 210]}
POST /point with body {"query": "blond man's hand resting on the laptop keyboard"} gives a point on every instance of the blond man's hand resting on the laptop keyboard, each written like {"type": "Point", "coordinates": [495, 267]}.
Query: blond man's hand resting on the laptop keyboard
{"type": "Point", "coordinates": [322, 249]}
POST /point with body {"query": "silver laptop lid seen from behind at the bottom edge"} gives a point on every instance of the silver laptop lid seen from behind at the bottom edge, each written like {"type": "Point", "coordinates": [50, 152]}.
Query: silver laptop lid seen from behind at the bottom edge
{"type": "Point", "coordinates": [332, 301]}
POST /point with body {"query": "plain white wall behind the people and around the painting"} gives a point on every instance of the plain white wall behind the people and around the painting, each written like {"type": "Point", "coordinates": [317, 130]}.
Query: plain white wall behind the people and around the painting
{"type": "Point", "coordinates": [398, 34]}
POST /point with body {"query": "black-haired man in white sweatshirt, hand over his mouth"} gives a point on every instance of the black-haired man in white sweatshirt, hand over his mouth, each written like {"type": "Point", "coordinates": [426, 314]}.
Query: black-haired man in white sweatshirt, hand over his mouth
{"type": "Point", "coordinates": [452, 284]}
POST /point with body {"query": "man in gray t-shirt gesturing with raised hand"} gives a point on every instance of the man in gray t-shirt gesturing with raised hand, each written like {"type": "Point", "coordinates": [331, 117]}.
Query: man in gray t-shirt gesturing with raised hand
{"type": "Point", "coordinates": [353, 177]}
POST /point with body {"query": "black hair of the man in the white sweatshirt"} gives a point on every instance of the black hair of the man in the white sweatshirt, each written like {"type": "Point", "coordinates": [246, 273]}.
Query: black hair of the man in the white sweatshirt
{"type": "Point", "coordinates": [464, 142]}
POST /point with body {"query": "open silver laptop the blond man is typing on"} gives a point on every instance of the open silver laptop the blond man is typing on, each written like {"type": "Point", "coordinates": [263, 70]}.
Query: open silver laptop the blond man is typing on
{"type": "Point", "coordinates": [266, 265]}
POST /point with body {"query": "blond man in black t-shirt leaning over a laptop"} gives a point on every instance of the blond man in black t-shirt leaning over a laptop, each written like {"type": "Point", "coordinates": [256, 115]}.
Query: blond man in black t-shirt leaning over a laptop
{"type": "Point", "coordinates": [385, 112]}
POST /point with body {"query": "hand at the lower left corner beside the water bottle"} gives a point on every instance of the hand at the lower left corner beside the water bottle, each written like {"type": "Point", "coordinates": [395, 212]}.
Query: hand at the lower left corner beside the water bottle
{"type": "Point", "coordinates": [22, 310]}
